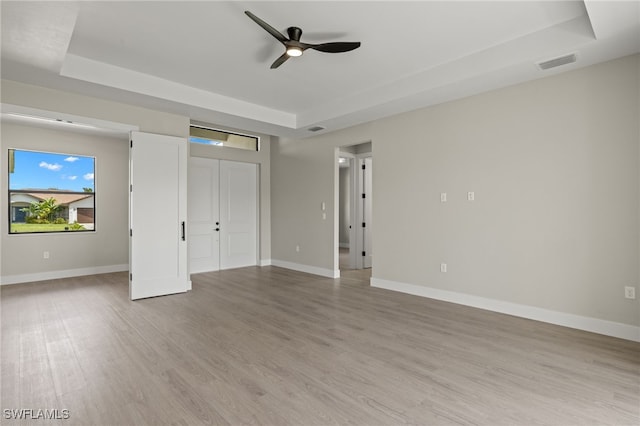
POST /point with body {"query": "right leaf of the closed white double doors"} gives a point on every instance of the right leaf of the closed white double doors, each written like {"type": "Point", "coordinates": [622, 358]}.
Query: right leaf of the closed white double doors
{"type": "Point", "coordinates": [238, 214]}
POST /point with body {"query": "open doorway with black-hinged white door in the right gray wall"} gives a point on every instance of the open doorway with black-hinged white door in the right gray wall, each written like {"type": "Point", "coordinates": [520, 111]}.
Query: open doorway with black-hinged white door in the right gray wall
{"type": "Point", "coordinates": [355, 194]}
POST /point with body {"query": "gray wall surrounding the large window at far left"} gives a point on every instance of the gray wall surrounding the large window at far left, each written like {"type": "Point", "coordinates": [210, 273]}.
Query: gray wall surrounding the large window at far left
{"type": "Point", "coordinates": [109, 244]}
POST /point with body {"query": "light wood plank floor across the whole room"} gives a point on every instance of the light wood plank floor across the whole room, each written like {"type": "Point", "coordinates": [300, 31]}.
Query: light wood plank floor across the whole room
{"type": "Point", "coordinates": [276, 347]}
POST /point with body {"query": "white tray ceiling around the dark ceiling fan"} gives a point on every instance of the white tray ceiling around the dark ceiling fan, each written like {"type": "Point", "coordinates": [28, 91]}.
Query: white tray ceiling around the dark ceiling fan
{"type": "Point", "coordinates": [207, 60]}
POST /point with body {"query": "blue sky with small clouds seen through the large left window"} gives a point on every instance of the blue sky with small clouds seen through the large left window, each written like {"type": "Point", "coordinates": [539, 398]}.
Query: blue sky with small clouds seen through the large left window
{"type": "Point", "coordinates": [44, 170]}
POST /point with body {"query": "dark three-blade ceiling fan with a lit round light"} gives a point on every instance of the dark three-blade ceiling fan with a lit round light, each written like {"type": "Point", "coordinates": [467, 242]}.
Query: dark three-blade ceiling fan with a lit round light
{"type": "Point", "coordinates": [293, 45]}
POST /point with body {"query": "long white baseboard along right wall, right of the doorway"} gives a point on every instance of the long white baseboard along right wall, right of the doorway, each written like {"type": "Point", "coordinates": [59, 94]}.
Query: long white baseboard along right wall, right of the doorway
{"type": "Point", "coordinates": [594, 325]}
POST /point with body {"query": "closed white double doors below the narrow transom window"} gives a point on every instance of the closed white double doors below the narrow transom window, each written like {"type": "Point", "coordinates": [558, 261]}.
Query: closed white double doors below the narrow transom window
{"type": "Point", "coordinates": [223, 214]}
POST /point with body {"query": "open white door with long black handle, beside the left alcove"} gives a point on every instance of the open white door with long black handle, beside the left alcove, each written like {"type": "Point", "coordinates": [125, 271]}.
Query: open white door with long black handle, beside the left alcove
{"type": "Point", "coordinates": [158, 214]}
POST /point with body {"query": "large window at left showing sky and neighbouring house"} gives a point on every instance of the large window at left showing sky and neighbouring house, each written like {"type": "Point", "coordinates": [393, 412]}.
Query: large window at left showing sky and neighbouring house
{"type": "Point", "coordinates": [50, 192]}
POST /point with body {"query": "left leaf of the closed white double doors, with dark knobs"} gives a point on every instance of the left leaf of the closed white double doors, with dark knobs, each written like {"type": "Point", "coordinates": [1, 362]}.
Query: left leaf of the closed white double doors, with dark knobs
{"type": "Point", "coordinates": [204, 216]}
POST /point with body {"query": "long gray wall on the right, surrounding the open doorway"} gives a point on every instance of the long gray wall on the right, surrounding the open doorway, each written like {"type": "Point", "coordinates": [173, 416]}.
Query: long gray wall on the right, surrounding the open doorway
{"type": "Point", "coordinates": [554, 164]}
